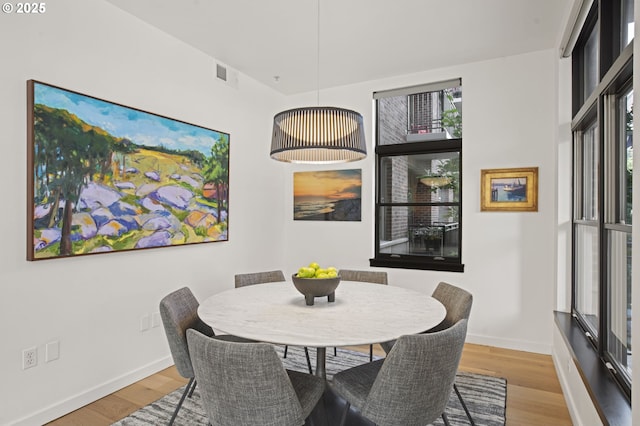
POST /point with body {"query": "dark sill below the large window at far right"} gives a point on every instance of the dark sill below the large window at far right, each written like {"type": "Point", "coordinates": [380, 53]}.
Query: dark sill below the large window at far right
{"type": "Point", "coordinates": [608, 398]}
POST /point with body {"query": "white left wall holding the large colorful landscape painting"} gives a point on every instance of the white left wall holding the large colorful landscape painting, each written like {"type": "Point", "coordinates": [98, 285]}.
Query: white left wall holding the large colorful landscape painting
{"type": "Point", "coordinates": [93, 304]}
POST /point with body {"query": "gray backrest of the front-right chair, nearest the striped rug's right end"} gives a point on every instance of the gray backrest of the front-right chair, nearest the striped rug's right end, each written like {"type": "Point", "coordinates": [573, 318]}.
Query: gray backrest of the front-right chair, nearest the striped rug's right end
{"type": "Point", "coordinates": [416, 378]}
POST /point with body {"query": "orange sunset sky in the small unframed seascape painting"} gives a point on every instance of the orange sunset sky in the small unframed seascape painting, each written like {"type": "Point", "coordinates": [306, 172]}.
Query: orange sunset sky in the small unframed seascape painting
{"type": "Point", "coordinates": [327, 185]}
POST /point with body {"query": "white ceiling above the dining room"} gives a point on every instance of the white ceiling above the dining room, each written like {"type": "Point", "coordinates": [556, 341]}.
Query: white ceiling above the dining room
{"type": "Point", "coordinates": [360, 40]}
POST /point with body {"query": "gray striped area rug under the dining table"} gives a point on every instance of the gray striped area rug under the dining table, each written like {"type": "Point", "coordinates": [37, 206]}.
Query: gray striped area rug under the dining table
{"type": "Point", "coordinates": [485, 396]}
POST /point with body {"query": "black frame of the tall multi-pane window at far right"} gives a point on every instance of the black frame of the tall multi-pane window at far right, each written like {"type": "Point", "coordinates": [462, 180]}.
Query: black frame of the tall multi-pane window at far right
{"type": "Point", "coordinates": [615, 74]}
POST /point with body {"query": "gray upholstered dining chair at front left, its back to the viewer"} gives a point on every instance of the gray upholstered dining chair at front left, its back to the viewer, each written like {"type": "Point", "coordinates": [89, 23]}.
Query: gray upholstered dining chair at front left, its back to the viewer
{"type": "Point", "coordinates": [246, 384]}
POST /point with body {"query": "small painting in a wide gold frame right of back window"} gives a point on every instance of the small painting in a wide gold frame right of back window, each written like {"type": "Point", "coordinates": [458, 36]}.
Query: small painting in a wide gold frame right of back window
{"type": "Point", "coordinates": [509, 189]}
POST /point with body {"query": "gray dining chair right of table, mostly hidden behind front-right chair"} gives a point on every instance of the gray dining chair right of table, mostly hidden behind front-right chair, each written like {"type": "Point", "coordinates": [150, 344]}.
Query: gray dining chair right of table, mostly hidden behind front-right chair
{"type": "Point", "coordinates": [458, 303]}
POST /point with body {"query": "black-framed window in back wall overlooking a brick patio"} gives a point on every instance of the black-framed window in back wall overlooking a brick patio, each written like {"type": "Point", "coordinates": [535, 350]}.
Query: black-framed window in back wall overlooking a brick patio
{"type": "Point", "coordinates": [418, 177]}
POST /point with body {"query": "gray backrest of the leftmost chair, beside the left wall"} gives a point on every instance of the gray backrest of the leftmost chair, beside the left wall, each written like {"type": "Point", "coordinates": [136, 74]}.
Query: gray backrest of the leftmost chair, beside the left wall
{"type": "Point", "coordinates": [179, 312]}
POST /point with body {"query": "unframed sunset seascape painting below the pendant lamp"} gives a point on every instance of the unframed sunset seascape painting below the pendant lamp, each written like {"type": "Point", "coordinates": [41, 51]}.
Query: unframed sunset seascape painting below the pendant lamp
{"type": "Point", "coordinates": [333, 195]}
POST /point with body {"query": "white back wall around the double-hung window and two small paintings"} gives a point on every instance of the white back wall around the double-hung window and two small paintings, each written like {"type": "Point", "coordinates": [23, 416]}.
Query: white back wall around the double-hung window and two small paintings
{"type": "Point", "coordinates": [509, 120]}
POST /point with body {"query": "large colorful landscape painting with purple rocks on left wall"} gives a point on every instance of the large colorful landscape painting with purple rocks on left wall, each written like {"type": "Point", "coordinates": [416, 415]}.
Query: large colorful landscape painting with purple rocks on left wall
{"type": "Point", "coordinates": [103, 177]}
